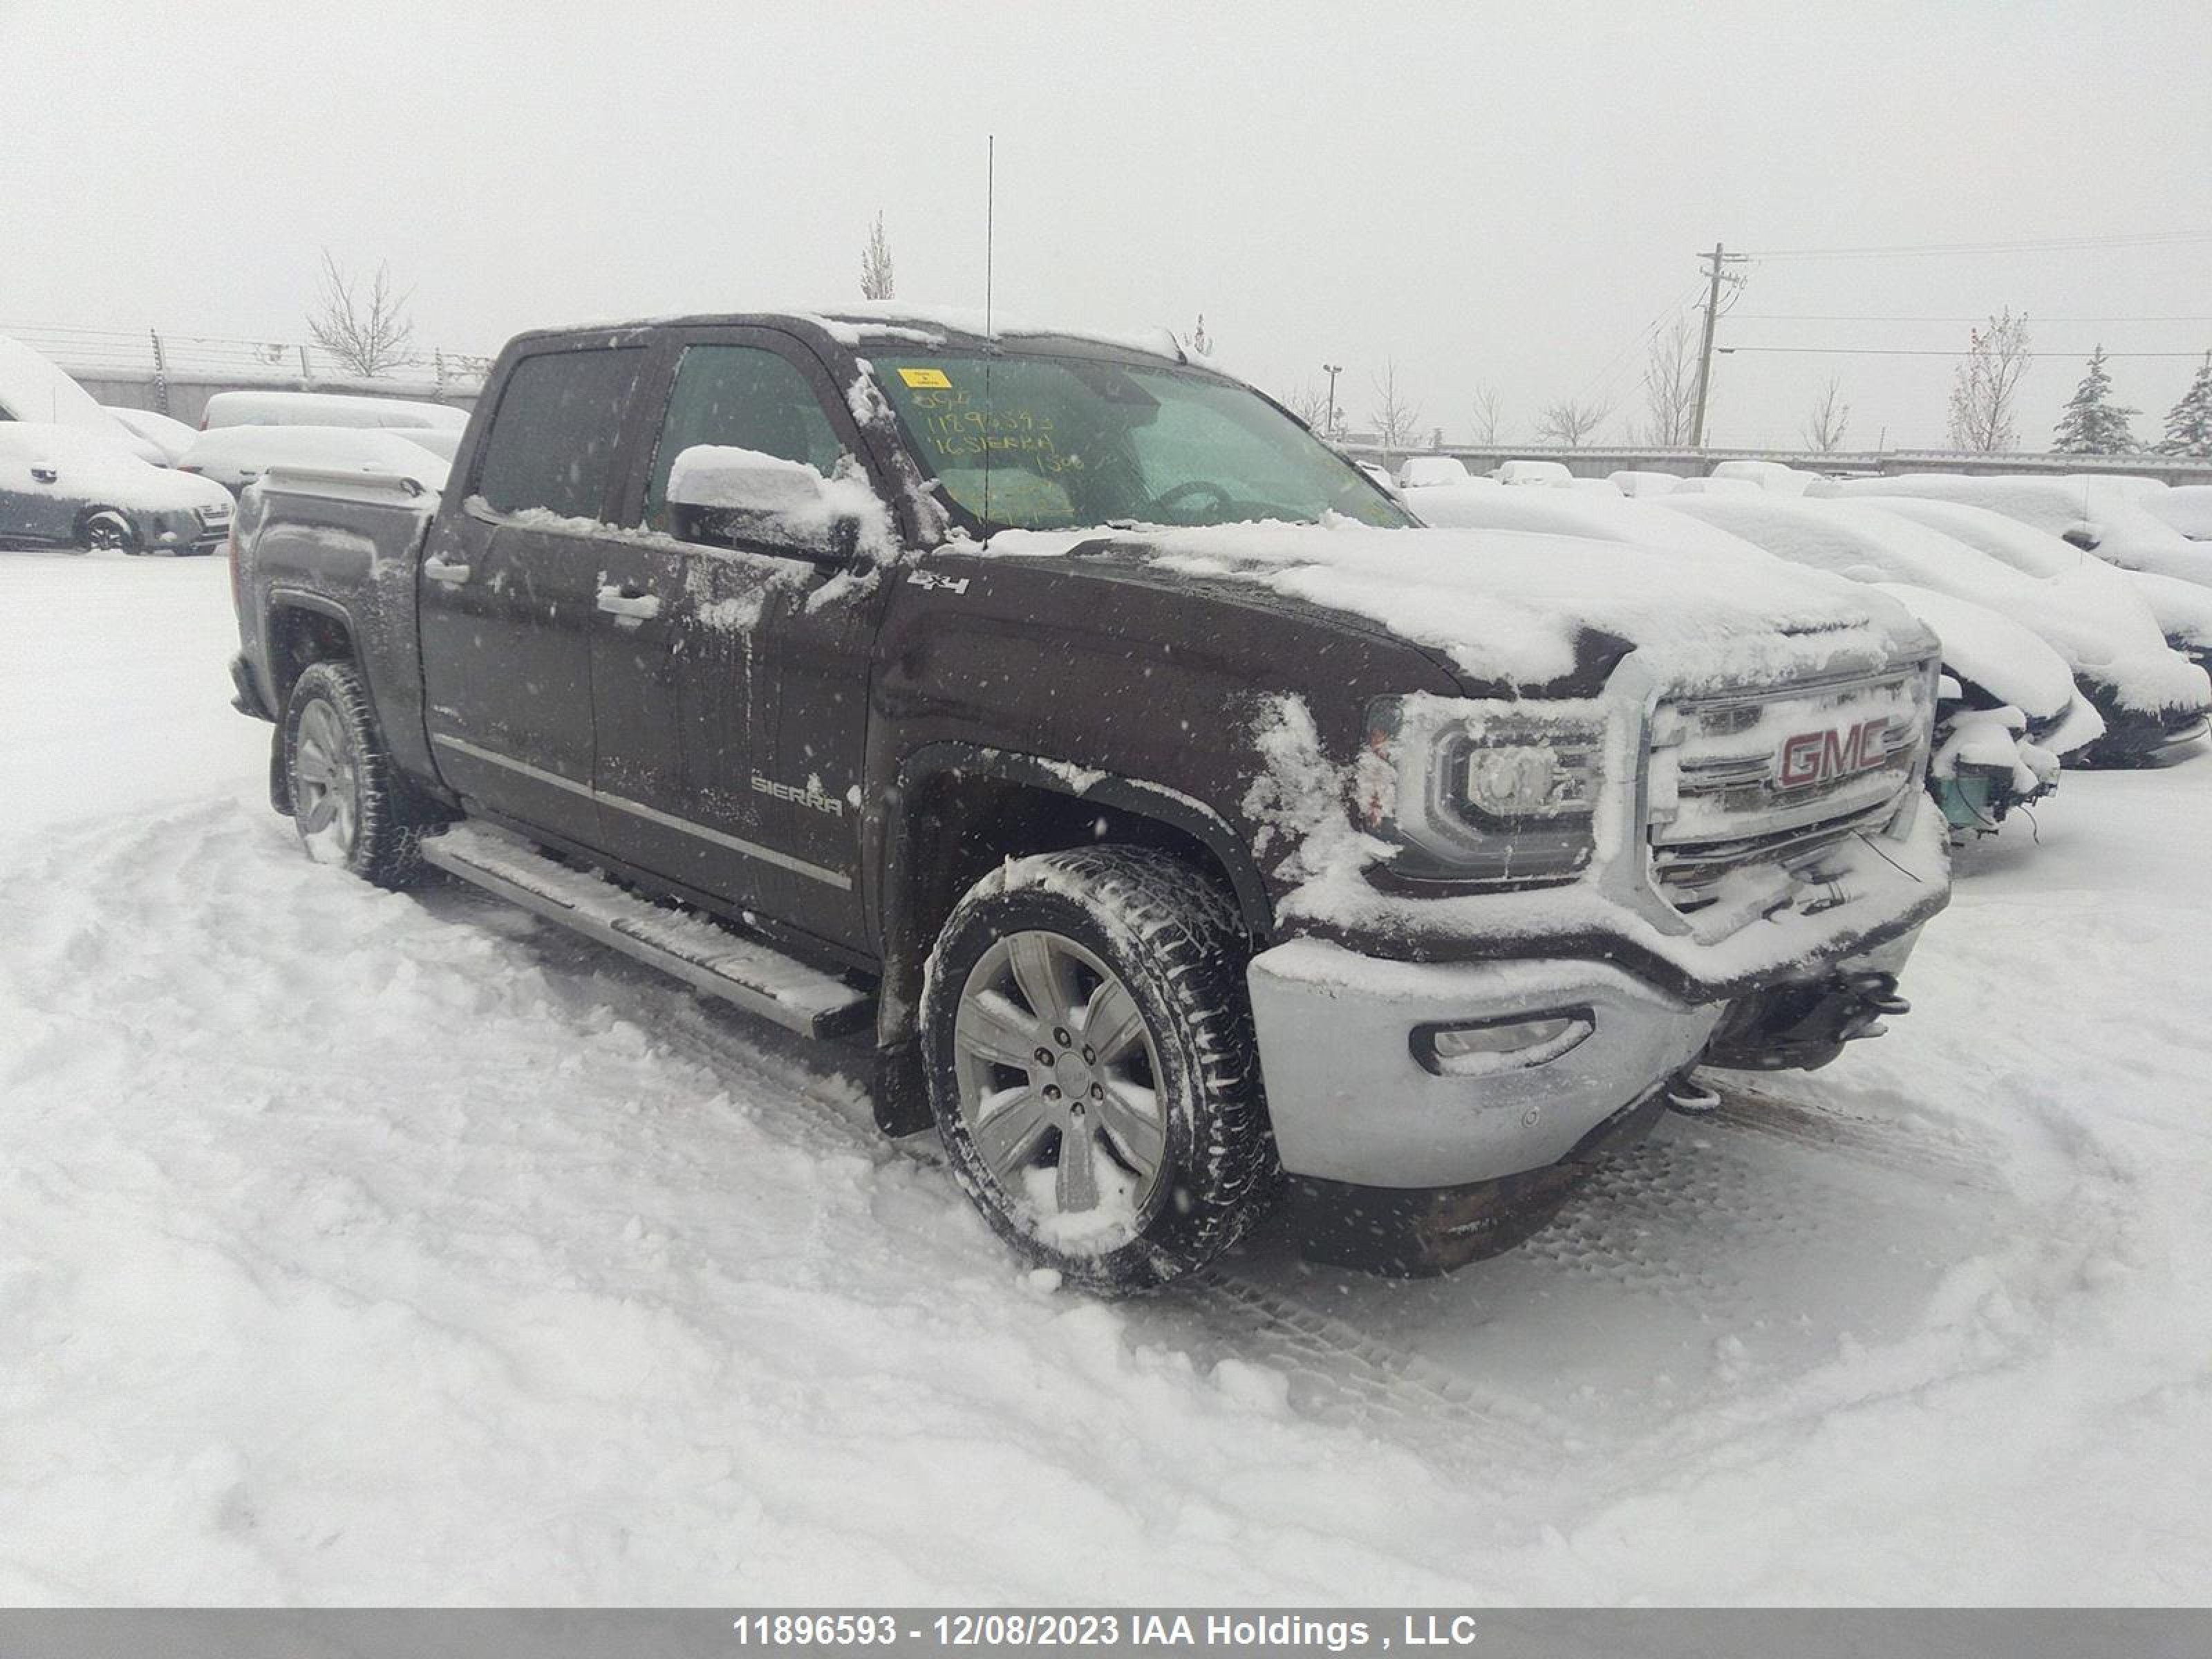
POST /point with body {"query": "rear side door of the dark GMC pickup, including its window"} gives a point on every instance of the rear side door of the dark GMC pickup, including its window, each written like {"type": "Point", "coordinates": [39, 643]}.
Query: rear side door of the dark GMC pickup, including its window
{"type": "Point", "coordinates": [510, 585]}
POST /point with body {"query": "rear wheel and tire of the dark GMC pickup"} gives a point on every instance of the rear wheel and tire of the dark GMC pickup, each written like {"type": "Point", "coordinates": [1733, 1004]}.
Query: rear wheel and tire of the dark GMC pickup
{"type": "Point", "coordinates": [348, 802]}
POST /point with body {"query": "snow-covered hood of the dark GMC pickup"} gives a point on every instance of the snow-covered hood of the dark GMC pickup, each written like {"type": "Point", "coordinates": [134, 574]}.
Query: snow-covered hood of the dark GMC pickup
{"type": "Point", "coordinates": [1516, 609]}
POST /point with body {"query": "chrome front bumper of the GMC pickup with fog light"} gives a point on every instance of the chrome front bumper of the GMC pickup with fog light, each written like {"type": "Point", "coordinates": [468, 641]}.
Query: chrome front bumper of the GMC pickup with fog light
{"type": "Point", "coordinates": [1355, 1100]}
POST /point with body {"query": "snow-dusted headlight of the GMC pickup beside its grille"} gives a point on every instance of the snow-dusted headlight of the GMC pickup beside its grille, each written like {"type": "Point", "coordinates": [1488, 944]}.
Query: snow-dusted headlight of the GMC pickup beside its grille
{"type": "Point", "coordinates": [1499, 793]}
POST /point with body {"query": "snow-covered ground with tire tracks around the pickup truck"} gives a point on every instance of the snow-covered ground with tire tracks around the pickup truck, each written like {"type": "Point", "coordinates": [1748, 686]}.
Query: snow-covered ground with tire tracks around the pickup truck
{"type": "Point", "coordinates": [399, 1249]}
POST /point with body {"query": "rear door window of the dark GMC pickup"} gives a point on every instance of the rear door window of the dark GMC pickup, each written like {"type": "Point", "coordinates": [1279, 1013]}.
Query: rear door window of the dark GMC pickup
{"type": "Point", "coordinates": [554, 439]}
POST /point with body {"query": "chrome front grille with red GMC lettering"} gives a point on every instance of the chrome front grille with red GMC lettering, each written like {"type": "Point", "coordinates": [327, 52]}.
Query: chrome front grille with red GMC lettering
{"type": "Point", "coordinates": [1780, 775]}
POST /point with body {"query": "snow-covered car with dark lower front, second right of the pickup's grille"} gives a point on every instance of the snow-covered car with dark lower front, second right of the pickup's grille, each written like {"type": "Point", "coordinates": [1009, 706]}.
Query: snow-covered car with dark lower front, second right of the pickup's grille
{"type": "Point", "coordinates": [2151, 698]}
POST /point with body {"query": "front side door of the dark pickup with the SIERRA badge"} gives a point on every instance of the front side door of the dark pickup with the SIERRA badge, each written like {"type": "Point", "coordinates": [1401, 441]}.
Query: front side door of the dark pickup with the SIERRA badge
{"type": "Point", "coordinates": [693, 654]}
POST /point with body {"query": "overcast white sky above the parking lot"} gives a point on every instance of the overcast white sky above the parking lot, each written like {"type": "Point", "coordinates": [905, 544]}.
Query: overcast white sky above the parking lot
{"type": "Point", "coordinates": [1488, 194]}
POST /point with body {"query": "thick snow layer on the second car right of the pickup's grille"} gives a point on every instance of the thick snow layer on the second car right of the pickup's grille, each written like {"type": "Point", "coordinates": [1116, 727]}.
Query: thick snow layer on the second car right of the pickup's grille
{"type": "Point", "coordinates": [2094, 623]}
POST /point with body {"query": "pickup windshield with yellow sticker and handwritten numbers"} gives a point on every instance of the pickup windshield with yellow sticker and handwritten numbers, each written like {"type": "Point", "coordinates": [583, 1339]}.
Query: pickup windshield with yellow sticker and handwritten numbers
{"type": "Point", "coordinates": [1065, 444]}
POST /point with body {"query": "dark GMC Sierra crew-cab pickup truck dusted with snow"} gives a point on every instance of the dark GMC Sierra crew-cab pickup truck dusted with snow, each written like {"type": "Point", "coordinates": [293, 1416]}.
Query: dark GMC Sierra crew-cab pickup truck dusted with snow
{"type": "Point", "coordinates": [1185, 824]}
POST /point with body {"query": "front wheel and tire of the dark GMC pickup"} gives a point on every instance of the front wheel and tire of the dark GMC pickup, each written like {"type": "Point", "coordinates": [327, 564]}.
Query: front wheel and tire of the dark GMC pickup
{"type": "Point", "coordinates": [1092, 1067]}
